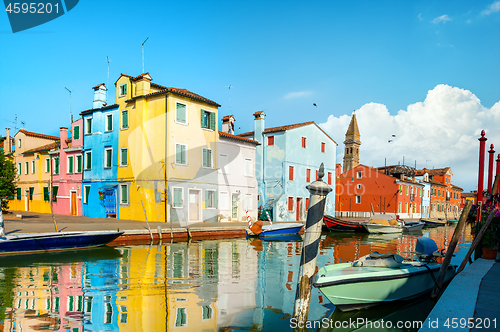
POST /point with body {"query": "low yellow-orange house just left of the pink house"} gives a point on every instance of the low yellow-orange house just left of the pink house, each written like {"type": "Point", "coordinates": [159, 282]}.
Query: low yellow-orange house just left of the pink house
{"type": "Point", "coordinates": [31, 157]}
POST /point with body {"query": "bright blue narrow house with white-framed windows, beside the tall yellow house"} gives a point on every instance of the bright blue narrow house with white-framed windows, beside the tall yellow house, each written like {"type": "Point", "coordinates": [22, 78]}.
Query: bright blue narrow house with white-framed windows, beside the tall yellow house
{"type": "Point", "coordinates": [100, 155]}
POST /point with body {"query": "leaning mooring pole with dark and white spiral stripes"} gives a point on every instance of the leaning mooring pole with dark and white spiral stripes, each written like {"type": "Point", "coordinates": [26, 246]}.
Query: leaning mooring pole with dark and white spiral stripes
{"type": "Point", "coordinates": [318, 190]}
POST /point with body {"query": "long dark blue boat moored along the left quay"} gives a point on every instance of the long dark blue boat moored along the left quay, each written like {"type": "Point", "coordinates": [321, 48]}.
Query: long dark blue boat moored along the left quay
{"type": "Point", "coordinates": [60, 241]}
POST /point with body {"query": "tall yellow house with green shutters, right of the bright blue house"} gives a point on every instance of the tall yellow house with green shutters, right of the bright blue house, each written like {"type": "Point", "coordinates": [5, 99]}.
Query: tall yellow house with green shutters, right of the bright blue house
{"type": "Point", "coordinates": [159, 124]}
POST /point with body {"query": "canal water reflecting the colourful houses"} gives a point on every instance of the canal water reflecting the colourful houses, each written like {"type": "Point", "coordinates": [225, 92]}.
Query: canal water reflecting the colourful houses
{"type": "Point", "coordinates": [210, 285]}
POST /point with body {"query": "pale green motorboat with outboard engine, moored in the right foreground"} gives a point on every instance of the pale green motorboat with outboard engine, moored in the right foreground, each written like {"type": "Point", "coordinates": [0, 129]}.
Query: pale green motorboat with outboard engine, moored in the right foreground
{"type": "Point", "coordinates": [381, 278]}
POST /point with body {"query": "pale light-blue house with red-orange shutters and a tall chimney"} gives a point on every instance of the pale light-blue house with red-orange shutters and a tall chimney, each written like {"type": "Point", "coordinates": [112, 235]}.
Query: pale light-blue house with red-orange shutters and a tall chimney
{"type": "Point", "coordinates": [286, 161]}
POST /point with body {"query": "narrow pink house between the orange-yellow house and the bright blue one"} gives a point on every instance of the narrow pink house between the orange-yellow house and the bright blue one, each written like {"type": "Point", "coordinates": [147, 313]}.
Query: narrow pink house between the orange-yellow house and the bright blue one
{"type": "Point", "coordinates": [67, 167]}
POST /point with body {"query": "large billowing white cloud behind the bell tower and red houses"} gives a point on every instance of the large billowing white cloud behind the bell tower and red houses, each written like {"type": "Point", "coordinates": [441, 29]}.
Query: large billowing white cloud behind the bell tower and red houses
{"type": "Point", "coordinates": [442, 130]}
